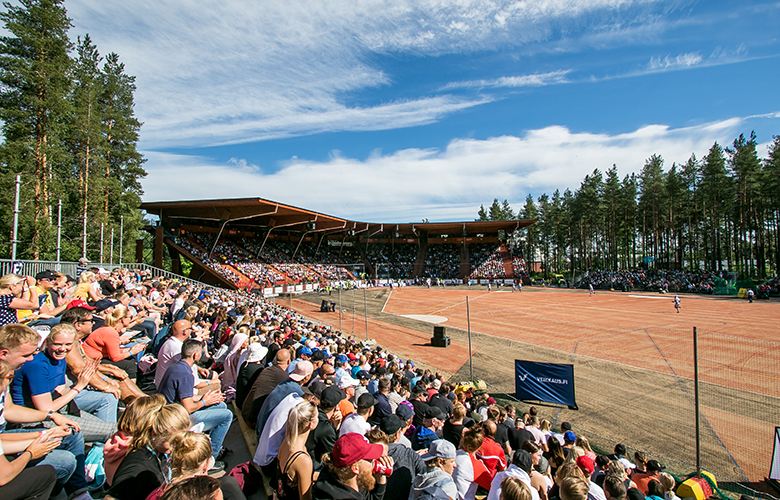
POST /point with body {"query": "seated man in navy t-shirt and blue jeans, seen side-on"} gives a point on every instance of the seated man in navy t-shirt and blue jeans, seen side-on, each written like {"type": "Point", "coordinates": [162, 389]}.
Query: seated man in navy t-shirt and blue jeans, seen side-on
{"type": "Point", "coordinates": [178, 386]}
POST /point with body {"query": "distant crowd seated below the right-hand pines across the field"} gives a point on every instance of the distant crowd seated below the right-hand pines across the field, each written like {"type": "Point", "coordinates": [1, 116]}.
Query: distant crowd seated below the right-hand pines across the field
{"type": "Point", "coordinates": [652, 280]}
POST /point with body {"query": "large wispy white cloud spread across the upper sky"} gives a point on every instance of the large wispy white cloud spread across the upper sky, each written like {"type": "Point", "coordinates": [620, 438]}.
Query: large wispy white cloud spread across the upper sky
{"type": "Point", "coordinates": [231, 71]}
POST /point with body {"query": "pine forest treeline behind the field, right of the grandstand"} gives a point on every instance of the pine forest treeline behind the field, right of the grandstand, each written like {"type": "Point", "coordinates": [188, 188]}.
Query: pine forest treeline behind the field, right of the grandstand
{"type": "Point", "coordinates": [720, 212]}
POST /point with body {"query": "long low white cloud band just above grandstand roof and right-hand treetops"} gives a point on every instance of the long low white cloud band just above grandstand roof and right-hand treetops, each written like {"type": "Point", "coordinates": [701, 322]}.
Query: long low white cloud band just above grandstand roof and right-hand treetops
{"type": "Point", "coordinates": [448, 184]}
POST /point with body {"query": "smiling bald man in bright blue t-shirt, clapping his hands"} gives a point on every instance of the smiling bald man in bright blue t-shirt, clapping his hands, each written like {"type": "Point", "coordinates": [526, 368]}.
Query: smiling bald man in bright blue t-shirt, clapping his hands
{"type": "Point", "coordinates": [41, 384]}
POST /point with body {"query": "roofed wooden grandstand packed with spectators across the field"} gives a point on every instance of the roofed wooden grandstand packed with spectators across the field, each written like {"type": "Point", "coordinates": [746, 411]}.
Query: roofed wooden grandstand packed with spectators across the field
{"type": "Point", "coordinates": [256, 244]}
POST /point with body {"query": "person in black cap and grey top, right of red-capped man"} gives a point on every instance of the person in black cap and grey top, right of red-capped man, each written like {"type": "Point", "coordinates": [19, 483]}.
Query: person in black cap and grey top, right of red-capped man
{"type": "Point", "coordinates": [407, 464]}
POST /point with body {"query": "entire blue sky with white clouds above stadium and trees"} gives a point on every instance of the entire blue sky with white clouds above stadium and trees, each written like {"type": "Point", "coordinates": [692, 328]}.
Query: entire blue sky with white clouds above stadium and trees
{"type": "Point", "coordinates": [403, 110]}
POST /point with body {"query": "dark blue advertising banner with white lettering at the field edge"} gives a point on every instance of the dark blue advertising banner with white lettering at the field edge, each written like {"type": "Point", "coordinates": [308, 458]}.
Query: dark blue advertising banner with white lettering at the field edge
{"type": "Point", "coordinates": [545, 382]}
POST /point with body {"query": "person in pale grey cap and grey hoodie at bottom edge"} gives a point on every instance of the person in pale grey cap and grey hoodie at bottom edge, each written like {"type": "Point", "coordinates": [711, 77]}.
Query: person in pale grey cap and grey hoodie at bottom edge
{"type": "Point", "coordinates": [437, 482]}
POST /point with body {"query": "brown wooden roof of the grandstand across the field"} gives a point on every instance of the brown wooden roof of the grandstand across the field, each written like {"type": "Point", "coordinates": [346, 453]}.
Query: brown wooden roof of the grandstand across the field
{"type": "Point", "coordinates": [257, 213]}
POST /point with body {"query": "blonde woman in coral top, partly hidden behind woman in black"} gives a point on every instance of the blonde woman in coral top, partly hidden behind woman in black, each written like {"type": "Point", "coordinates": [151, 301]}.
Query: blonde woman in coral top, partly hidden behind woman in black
{"type": "Point", "coordinates": [137, 415]}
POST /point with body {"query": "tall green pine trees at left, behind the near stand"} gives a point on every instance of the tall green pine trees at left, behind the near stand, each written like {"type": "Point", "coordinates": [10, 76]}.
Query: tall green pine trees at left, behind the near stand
{"type": "Point", "coordinates": [70, 132]}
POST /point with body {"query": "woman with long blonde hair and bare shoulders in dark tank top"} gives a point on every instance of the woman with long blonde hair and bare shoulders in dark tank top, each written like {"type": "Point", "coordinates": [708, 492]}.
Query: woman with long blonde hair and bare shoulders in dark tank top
{"type": "Point", "coordinates": [295, 476]}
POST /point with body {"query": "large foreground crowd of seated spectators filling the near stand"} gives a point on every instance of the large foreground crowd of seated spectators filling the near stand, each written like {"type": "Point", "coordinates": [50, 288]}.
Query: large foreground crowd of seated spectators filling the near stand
{"type": "Point", "coordinates": [334, 417]}
